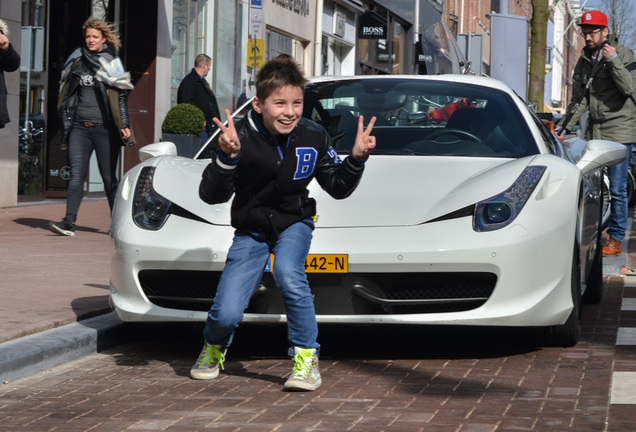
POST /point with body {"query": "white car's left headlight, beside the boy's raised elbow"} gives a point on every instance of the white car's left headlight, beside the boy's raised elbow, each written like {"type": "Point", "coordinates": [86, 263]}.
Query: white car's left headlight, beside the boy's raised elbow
{"type": "Point", "coordinates": [149, 210]}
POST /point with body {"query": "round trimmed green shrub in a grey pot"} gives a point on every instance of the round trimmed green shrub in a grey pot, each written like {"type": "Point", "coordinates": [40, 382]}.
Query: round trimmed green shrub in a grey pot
{"type": "Point", "coordinates": [183, 125]}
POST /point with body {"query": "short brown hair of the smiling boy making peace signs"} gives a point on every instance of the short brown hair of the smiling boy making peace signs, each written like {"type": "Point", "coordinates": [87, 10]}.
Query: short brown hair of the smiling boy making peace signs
{"type": "Point", "coordinates": [281, 71]}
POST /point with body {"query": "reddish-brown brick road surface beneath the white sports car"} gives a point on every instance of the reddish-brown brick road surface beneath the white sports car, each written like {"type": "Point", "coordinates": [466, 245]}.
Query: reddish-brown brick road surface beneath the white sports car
{"type": "Point", "coordinates": [375, 379]}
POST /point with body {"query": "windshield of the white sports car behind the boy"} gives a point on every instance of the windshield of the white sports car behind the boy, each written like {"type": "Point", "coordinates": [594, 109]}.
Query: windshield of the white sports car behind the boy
{"type": "Point", "coordinates": [420, 117]}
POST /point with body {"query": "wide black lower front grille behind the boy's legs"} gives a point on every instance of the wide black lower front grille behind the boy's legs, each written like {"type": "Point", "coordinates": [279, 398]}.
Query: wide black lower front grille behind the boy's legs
{"type": "Point", "coordinates": [369, 293]}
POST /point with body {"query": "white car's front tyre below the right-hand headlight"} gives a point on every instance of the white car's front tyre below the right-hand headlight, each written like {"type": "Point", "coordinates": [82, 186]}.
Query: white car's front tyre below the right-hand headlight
{"type": "Point", "coordinates": [568, 334]}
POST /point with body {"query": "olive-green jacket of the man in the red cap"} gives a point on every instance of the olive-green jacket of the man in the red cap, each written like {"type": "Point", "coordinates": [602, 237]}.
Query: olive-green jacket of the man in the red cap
{"type": "Point", "coordinates": [611, 100]}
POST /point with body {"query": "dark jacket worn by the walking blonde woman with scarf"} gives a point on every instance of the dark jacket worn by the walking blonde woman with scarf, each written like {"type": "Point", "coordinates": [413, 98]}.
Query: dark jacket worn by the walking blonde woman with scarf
{"type": "Point", "coordinates": [114, 100]}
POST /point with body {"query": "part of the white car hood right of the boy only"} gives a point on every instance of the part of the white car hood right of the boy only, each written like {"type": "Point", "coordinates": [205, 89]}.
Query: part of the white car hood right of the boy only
{"type": "Point", "coordinates": [418, 189]}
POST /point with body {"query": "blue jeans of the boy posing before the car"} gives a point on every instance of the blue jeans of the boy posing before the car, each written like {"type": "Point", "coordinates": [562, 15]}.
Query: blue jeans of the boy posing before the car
{"type": "Point", "coordinates": [242, 275]}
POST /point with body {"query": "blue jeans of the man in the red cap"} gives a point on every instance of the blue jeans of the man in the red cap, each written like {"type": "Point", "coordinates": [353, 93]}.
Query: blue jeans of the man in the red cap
{"type": "Point", "coordinates": [618, 191]}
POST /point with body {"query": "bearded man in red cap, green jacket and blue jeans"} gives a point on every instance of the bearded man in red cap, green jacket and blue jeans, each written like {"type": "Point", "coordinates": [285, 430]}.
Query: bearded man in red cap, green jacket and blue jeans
{"type": "Point", "coordinates": [612, 110]}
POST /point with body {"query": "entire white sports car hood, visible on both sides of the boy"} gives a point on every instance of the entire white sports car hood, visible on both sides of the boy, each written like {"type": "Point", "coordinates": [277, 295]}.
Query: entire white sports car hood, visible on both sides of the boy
{"type": "Point", "coordinates": [393, 191]}
